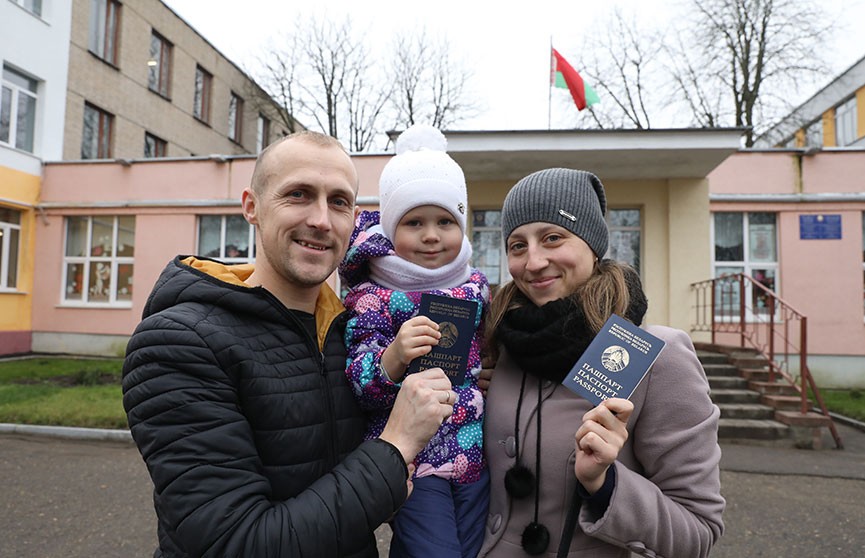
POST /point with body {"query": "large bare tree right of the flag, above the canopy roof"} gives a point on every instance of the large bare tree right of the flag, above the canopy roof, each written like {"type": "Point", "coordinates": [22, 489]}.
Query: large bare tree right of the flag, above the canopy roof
{"type": "Point", "coordinates": [749, 54]}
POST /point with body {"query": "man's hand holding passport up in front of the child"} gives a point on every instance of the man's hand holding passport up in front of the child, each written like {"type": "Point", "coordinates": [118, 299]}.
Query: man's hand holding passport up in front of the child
{"type": "Point", "coordinates": [424, 402]}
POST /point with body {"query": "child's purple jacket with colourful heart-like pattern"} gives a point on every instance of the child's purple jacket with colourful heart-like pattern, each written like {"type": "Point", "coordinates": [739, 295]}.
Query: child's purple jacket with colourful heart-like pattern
{"type": "Point", "coordinates": [376, 314]}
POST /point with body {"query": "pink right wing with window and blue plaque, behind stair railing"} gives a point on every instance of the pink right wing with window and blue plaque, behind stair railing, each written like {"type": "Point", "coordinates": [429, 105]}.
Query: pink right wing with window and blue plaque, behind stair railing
{"type": "Point", "coordinates": [794, 220]}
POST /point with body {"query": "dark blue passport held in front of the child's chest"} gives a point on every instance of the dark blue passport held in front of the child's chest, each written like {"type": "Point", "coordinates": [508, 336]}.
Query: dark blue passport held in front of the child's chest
{"type": "Point", "coordinates": [456, 319]}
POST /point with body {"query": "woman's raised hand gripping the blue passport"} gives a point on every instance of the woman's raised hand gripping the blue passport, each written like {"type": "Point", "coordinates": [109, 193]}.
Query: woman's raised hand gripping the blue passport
{"type": "Point", "coordinates": [599, 440]}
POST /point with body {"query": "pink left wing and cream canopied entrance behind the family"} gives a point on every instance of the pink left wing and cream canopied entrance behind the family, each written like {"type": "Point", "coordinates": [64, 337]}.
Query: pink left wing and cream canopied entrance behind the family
{"type": "Point", "coordinates": [115, 225]}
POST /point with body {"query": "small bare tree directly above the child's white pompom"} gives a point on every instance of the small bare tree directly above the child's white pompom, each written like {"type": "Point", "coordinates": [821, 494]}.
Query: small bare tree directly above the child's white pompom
{"type": "Point", "coordinates": [430, 84]}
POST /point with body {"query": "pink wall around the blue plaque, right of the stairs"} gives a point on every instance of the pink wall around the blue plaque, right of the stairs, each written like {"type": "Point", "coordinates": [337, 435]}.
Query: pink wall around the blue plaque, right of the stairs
{"type": "Point", "coordinates": [823, 279]}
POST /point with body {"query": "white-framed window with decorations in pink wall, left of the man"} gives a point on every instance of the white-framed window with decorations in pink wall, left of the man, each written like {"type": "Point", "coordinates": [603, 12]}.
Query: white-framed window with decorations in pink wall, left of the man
{"type": "Point", "coordinates": [98, 260]}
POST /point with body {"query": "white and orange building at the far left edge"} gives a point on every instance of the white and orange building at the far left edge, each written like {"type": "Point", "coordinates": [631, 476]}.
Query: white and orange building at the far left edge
{"type": "Point", "coordinates": [34, 43]}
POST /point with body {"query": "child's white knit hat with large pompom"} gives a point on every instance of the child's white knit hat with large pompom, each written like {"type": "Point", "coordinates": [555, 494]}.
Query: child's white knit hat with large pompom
{"type": "Point", "coordinates": [421, 173]}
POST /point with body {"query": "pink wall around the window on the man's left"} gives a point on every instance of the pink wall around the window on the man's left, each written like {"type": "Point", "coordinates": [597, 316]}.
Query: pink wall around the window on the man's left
{"type": "Point", "coordinates": [160, 232]}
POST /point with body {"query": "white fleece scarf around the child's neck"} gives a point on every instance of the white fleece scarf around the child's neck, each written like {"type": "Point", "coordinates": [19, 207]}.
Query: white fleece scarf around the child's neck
{"type": "Point", "coordinates": [396, 273]}
